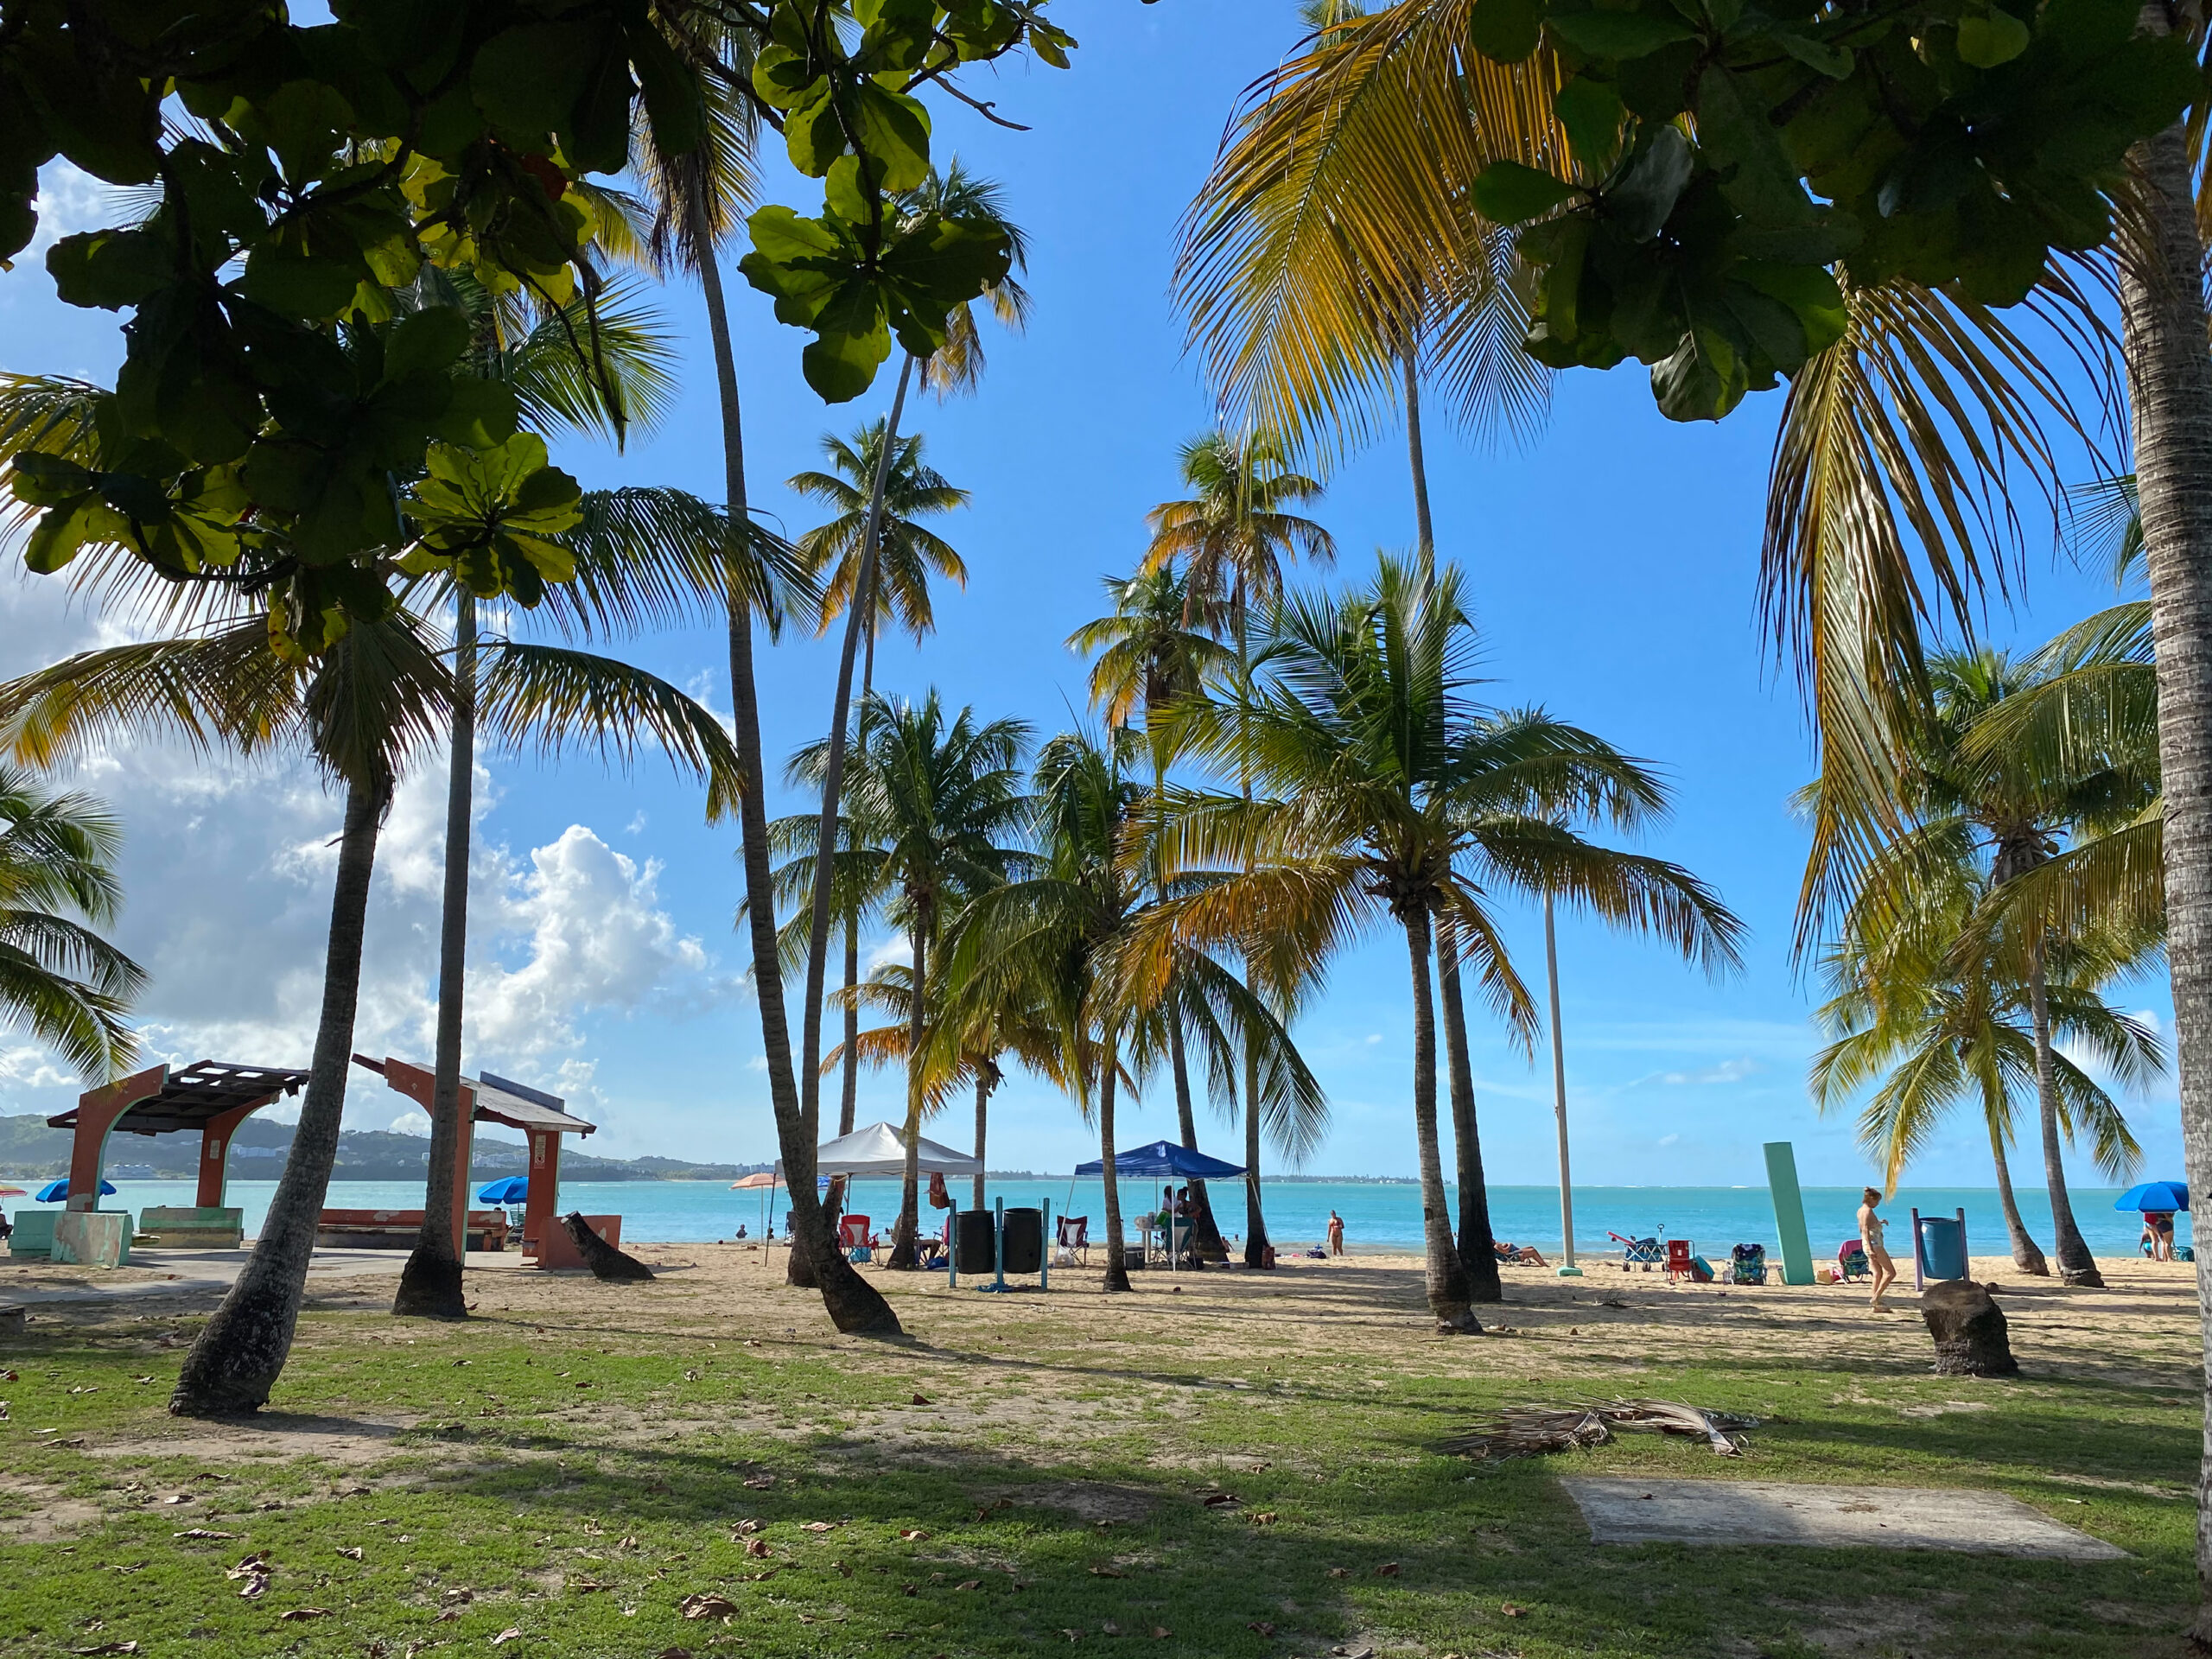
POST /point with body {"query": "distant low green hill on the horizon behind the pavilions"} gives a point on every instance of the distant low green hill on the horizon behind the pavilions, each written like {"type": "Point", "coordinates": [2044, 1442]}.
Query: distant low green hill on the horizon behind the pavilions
{"type": "Point", "coordinates": [30, 1151]}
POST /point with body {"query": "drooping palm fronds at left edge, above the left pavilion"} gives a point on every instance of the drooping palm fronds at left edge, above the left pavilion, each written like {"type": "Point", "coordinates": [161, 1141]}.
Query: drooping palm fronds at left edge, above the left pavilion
{"type": "Point", "coordinates": [59, 981]}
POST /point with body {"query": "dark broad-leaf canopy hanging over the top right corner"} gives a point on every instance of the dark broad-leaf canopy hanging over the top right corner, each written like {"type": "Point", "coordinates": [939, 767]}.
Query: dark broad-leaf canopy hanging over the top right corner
{"type": "Point", "coordinates": [1722, 158]}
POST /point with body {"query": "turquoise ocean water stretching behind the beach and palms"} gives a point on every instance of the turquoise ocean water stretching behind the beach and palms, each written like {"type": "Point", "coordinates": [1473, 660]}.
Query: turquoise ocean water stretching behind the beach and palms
{"type": "Point", "coordinates": [1379, 1215]}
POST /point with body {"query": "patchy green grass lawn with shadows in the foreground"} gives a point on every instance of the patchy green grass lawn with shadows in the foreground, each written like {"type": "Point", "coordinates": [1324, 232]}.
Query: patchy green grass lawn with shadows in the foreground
{"type": "Point", "coordinates": [570, 1474]}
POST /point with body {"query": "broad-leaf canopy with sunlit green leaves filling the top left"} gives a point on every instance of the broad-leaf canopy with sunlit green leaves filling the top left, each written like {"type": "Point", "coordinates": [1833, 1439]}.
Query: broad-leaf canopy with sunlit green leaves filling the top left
{"type": "Point", "coordinates": [273, 410]}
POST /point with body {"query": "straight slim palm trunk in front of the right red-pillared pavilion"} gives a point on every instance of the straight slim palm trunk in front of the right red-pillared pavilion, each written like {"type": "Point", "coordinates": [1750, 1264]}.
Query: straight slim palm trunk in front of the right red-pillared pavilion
{"type": "Point", "coordinates": [430, 1284]}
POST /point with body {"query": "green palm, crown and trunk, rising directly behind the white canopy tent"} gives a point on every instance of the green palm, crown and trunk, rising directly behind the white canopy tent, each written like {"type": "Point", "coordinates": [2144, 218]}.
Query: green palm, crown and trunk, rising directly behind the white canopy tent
{"type": "Point", "coordinates": [946, 804]}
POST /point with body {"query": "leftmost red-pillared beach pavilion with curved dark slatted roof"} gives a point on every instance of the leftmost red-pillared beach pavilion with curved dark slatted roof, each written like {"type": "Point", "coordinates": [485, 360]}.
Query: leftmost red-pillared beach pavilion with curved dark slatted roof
{"type": "Point", "coordinates": [211, 1096]}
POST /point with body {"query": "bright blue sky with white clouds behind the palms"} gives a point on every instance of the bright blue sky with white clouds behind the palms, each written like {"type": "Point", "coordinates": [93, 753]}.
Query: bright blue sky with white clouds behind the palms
{"type": "Point", "coordinates": [1611, 565]}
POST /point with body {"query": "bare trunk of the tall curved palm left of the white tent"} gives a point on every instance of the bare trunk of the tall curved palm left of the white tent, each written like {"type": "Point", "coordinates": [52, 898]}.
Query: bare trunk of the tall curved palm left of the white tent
{"type": "Point", "coordinates": [855, 1306]}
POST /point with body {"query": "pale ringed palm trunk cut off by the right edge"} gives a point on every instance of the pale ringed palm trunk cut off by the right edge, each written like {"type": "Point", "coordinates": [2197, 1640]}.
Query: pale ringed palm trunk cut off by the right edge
{"type": "Point", "coordinates": [2171, 404]}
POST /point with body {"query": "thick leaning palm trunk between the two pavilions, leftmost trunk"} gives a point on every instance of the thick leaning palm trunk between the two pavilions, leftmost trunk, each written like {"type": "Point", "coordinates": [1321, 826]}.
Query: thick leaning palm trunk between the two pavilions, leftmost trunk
{"type": "Point", "coordinates": [242, 1350]}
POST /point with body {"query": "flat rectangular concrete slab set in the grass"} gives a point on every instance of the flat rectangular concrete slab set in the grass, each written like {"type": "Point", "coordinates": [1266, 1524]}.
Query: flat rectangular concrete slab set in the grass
{"type": "Point", "coordinates": [1777, 1514]}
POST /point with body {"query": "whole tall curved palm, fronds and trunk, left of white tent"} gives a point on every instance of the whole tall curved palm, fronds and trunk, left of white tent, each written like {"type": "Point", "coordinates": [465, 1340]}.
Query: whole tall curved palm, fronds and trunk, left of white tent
{"type": "Point", "coordinates": [698, 202]}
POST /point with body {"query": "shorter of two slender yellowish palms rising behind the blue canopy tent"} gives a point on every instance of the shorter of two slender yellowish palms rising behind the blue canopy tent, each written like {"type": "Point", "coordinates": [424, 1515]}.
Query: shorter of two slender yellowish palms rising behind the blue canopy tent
{"type": "Point", "coordinates": [1149, 656]}
